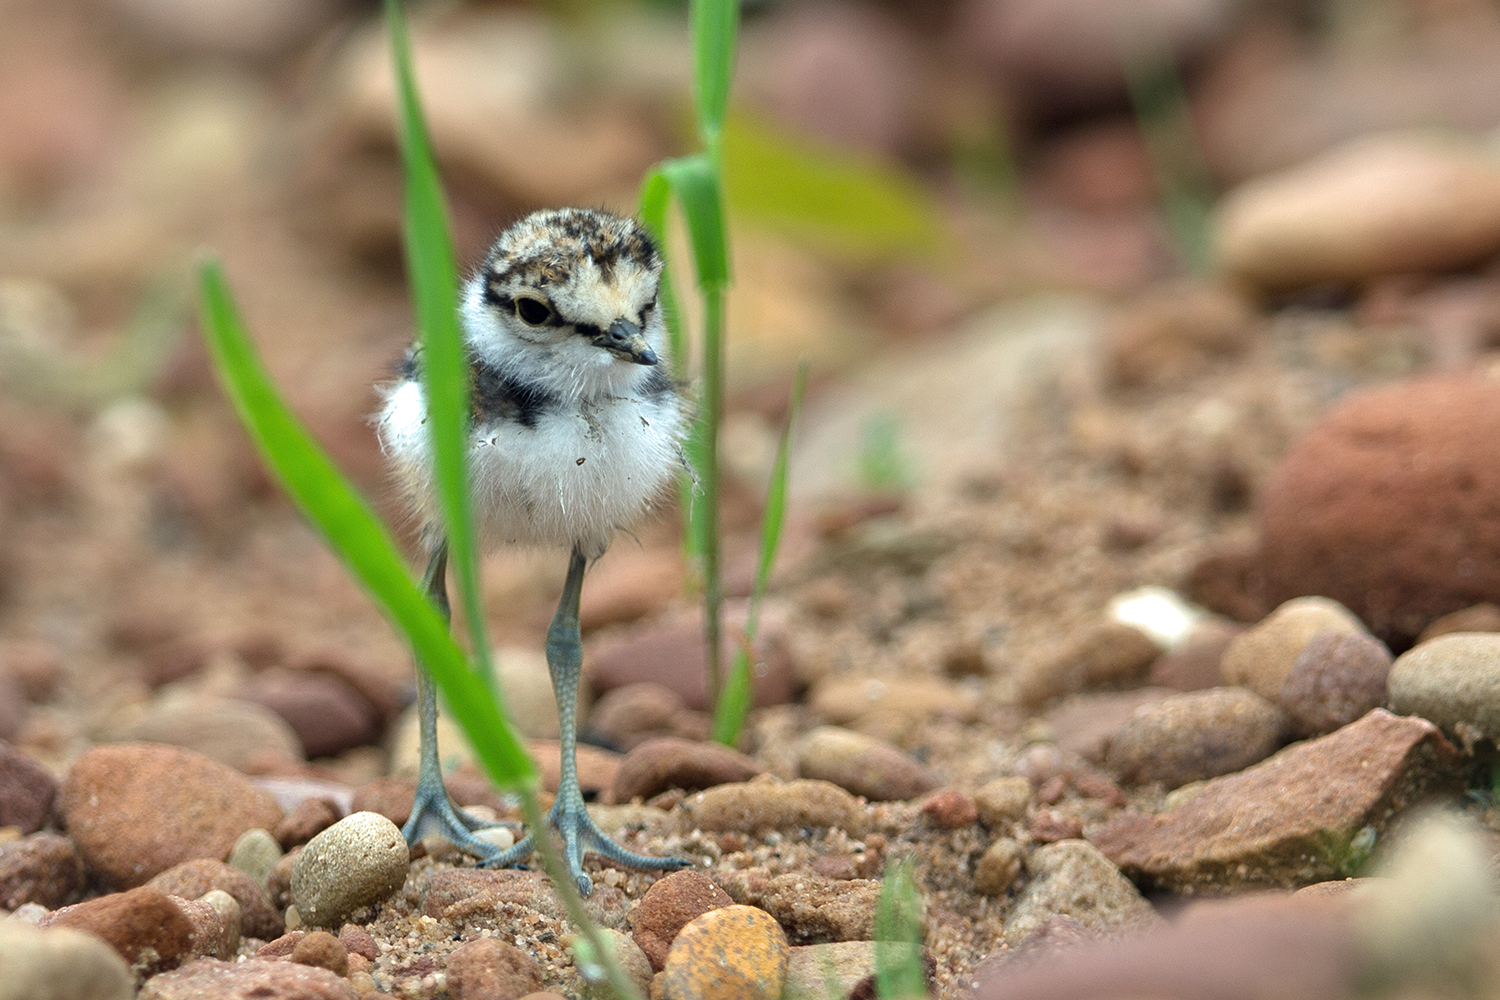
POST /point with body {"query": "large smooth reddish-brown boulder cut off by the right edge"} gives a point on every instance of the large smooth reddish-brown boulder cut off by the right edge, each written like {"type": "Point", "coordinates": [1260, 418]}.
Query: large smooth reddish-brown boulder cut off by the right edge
{"type": "Point", "coordinates": [1388, 506]}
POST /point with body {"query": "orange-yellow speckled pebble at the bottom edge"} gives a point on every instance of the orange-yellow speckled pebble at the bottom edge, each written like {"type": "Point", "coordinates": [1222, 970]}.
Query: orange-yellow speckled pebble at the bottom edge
{"type": "Point", "coordinates": [737, 953]}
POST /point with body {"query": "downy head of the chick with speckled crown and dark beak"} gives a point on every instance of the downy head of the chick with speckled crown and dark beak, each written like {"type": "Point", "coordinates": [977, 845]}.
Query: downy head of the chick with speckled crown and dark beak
{"type": "Point", "coordinates": [568, 301]}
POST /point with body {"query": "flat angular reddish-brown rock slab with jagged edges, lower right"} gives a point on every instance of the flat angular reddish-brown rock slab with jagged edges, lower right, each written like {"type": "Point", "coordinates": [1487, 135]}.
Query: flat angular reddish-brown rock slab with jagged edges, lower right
{"type": "Point", "coordinates": [1288, 821]}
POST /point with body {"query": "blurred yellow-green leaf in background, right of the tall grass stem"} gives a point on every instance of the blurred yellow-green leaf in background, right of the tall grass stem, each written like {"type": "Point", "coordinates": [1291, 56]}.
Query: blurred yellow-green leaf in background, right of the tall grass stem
{"type": "Point", "coordinates": [836, 200]}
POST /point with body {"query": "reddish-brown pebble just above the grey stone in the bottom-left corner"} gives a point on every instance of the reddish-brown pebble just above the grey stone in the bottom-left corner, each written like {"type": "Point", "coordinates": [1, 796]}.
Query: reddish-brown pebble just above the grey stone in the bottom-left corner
{"type": "Point", "coordinates": [143, 926]}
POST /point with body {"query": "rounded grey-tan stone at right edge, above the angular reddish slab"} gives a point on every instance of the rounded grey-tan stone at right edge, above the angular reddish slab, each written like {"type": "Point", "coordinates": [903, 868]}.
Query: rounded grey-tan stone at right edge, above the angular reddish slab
{"type": "Point", "coordinates": [1453, 681]}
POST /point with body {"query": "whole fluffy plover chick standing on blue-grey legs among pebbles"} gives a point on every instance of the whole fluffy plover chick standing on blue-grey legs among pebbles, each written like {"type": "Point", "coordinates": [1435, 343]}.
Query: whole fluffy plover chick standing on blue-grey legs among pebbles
{"type": "Point", "coordinates": [575, 434]}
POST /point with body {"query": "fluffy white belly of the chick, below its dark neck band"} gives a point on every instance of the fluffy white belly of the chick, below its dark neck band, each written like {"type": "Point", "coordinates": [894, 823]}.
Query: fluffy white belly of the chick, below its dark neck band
{"type": "Point", "coordinates": [577, 478]}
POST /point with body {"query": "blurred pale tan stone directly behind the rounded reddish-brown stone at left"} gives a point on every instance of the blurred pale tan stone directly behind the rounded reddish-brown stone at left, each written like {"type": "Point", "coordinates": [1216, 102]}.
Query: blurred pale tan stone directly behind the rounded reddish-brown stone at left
{"type": "Point", "coordinates": [229, 731]}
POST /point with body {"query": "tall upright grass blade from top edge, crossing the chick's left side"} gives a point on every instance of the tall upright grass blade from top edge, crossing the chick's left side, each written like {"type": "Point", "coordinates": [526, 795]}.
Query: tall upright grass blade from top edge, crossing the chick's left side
{"type": "Point", "coordinates": [445, 370]}
